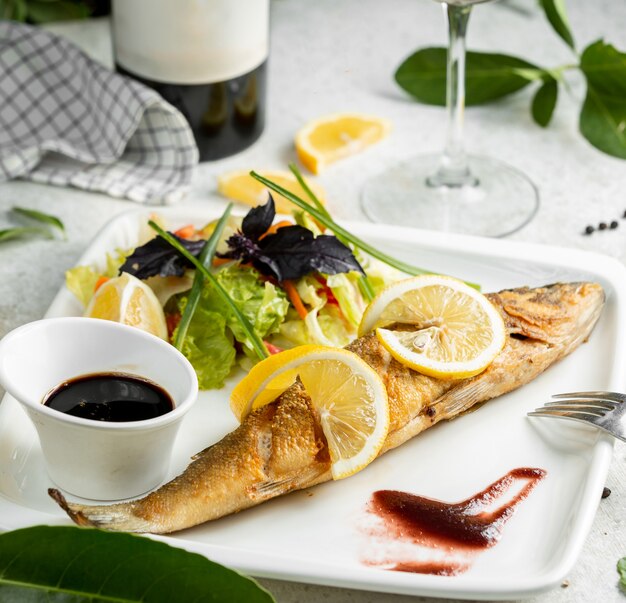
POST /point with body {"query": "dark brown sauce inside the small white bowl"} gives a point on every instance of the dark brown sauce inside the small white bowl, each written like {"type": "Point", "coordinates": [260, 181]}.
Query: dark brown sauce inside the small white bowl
{"type": "Point", "coordinates": [114, 397]}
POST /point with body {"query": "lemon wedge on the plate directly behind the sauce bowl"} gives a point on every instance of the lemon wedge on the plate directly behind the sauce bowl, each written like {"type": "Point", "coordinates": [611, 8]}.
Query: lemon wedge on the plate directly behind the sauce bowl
{"type": "Point", "coordinates": [128, 300]}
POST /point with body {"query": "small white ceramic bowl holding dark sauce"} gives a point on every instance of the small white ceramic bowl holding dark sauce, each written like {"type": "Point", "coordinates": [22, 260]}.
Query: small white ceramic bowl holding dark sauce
{"type": "Point", "coordinates": [97, 459]}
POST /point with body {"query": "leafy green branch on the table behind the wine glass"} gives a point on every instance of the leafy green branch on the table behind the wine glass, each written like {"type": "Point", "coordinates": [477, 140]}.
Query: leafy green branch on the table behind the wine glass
{"type": "Point", "coordinates": [491, 76]}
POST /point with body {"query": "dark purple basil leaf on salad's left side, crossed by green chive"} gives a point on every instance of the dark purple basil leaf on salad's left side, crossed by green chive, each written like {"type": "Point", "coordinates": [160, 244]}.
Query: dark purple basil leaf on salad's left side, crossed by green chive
{"type": "Point", "coordinates": [157, 256]}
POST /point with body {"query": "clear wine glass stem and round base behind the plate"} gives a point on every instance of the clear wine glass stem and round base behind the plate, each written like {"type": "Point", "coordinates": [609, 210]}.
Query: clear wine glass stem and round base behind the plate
{"type": "Point", "coordinates": [453, 191]}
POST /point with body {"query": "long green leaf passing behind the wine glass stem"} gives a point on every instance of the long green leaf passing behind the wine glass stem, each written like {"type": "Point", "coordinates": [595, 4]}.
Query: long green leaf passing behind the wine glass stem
{"type": "Point", "coordinates": [488, 76]}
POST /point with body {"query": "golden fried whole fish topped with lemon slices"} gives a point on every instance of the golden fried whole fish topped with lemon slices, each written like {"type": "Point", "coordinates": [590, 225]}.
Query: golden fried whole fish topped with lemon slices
{"type": "Point", "coordinates": [281, 447]}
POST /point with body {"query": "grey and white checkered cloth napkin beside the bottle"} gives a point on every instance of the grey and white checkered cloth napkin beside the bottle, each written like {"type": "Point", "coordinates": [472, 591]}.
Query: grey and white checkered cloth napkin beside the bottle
{"type": "Point", "coordinates": [66, 120]}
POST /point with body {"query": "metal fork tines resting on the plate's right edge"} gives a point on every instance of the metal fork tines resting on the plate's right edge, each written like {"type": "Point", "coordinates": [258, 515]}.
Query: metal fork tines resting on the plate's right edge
{"type": "Point", "coordinates": [605, 410]}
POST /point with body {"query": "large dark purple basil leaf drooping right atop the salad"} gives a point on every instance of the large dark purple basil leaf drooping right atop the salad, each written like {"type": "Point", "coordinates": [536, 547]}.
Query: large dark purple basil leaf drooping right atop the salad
{"type": "Point", "coordinates": [294, 252]}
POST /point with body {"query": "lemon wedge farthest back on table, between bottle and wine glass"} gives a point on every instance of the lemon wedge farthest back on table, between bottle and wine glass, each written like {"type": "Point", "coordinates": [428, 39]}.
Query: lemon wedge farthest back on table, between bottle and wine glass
{"type": "Point", "coordinates": [333, 137]}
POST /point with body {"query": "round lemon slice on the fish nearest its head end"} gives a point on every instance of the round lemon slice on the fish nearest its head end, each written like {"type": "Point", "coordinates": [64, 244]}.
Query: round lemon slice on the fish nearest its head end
{"type": "Point", "coordinates": [444, 328]}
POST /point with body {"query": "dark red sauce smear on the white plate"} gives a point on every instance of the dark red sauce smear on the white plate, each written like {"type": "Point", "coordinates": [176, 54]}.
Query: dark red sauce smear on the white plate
{"type": "Point", "coordinates": [464, 527]}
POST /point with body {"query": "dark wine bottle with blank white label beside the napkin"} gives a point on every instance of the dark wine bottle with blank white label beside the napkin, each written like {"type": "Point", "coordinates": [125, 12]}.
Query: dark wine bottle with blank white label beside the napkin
{"type": "Point", "coordinates": [208, 58]}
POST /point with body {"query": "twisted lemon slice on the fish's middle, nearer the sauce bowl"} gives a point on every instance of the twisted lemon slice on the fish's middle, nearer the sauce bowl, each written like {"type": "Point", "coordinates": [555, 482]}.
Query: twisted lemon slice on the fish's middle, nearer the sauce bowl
{"type": "Point", "coordinates": [348, 395]}
